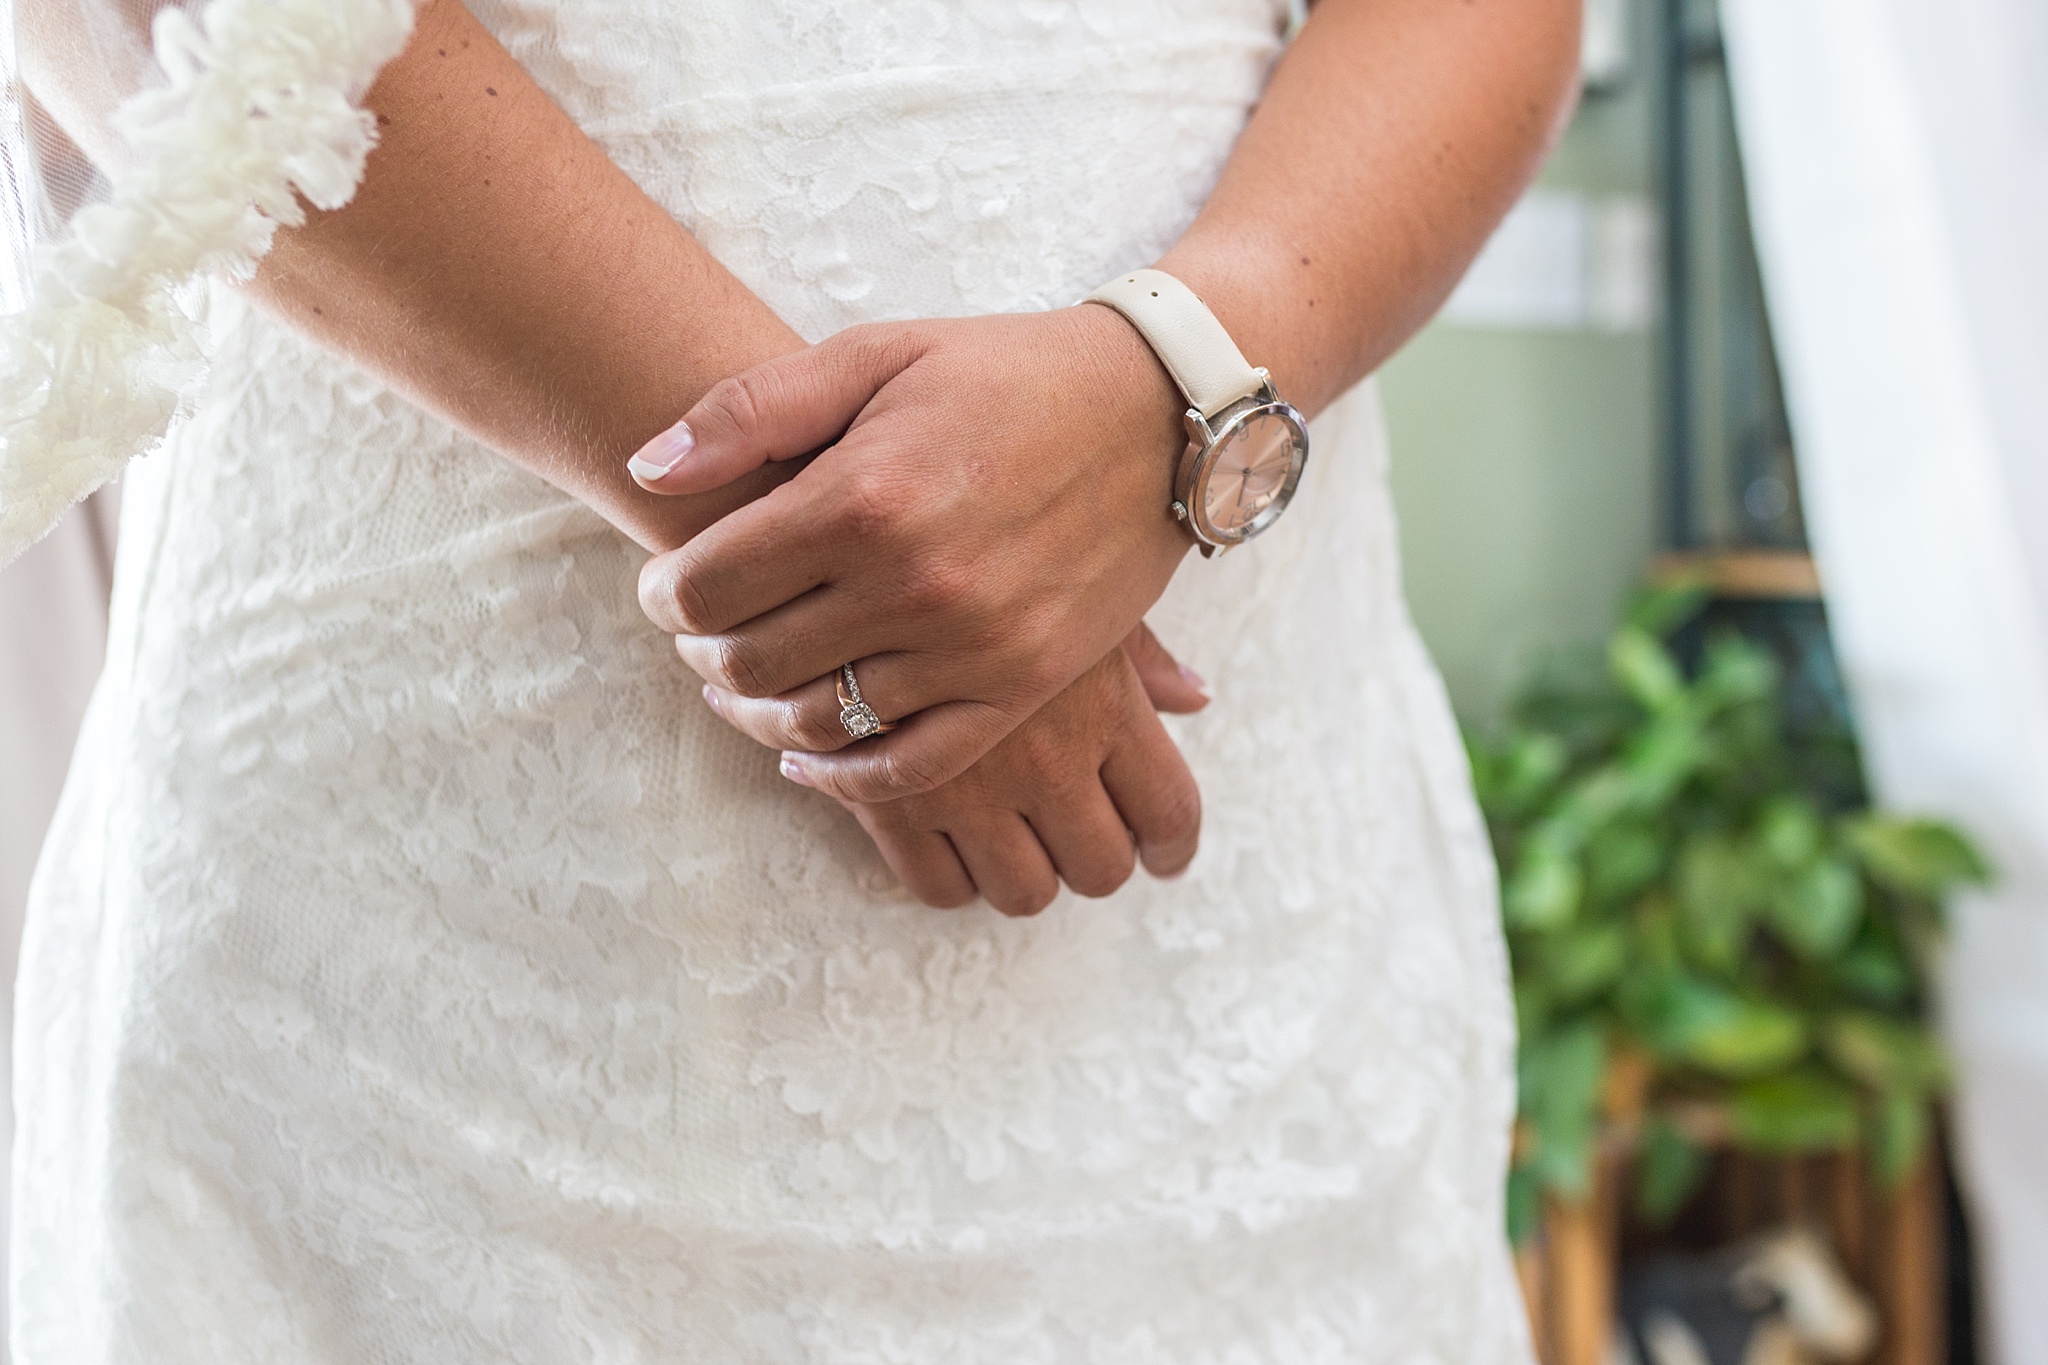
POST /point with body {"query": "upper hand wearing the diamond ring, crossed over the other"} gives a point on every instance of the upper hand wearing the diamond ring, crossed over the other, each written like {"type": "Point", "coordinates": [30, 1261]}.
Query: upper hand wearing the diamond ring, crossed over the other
{"type": "Point", "coordinates": [988, 525]}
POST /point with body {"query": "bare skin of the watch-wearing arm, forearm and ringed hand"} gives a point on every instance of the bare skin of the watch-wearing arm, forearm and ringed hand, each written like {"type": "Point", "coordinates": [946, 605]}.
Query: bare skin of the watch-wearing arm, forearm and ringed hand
{"type": "Point", "coordinates": [1392, 140]}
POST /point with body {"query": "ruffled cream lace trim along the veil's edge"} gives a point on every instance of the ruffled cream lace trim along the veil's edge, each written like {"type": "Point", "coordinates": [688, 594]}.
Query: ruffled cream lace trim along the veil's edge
{"type": "Point", "coordinates": [259, 107]}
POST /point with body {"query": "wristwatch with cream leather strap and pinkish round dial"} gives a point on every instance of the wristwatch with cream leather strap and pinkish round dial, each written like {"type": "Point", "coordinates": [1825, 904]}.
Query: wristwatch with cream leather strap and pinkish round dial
{"type": "Point", "coordinates": [1246, 445]}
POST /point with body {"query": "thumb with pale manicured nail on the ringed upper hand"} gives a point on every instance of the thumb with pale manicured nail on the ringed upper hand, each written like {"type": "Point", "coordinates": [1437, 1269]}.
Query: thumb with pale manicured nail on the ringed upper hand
{"type": "Point", "coordinates": [775, 412]}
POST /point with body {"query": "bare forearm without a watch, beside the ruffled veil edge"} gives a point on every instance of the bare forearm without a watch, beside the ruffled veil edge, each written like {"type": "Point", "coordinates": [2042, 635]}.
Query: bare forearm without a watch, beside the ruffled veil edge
{"type": "Point", "coordinates": [505, 273]}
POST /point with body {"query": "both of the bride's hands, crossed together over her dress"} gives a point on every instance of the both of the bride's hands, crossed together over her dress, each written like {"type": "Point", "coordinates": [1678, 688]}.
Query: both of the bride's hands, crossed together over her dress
{"type": "Point", "coordinates": [980, 533]}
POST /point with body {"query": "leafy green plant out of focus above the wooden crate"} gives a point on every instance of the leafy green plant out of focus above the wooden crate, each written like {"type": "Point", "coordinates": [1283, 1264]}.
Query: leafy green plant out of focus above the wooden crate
{"type": "Point", "coordinates": [1703, 908]}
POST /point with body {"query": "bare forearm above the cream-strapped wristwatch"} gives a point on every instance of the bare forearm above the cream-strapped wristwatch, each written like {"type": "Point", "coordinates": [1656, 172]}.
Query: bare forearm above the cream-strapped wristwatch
{"type": "Point", "coordinates": [1388, 146]}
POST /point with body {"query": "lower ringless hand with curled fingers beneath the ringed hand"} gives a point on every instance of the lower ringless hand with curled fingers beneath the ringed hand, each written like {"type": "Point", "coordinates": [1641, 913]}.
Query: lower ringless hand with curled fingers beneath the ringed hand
{"type": "Point", "coordinates": [1076, 795]}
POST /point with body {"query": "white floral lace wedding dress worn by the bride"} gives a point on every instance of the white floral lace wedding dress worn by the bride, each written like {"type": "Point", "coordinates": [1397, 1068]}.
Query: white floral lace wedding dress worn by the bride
{"type": "Point", "coordinates": [421, 973]}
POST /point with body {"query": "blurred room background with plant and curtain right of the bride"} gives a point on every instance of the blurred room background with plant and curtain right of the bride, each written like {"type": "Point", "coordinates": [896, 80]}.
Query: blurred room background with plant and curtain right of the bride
{"type": "Point", "coordinates": [1773, 858]}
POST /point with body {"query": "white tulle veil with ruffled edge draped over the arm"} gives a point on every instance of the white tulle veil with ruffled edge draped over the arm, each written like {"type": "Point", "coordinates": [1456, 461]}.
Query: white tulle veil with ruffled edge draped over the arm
{"type": "Point", "coordinates": [146, 146]}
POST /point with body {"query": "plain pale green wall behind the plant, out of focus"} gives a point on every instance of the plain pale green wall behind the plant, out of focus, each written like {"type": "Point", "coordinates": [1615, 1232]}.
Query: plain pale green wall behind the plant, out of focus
{"type": "Point", "coordinates": [1525, 461]}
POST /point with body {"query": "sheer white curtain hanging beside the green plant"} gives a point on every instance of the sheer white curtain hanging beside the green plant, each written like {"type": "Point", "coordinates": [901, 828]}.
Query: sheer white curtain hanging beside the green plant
{"type": "Point", "coordinates": [1897, 165]}
